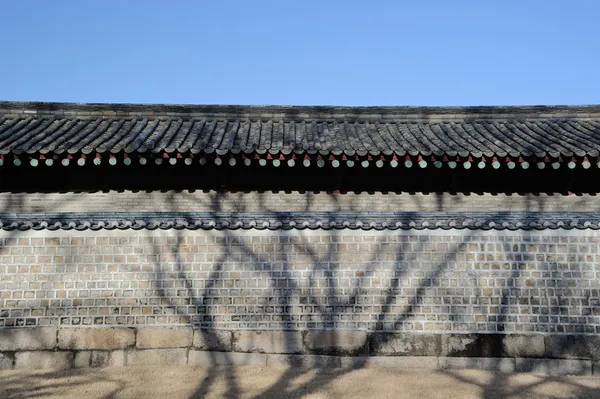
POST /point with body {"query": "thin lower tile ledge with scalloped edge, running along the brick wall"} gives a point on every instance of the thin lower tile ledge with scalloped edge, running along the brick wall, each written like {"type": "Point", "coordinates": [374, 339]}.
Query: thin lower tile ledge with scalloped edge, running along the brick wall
{"type": "Point", "coordinates": [302, 220]}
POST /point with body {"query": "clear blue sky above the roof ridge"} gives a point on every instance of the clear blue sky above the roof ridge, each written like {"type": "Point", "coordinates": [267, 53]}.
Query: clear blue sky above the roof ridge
{"type": "Point", "coordinates": [301, 52]}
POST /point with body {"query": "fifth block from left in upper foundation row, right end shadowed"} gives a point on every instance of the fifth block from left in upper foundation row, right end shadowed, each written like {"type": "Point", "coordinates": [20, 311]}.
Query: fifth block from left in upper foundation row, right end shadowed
{"type": "Point", "coordinates": [268, 341]}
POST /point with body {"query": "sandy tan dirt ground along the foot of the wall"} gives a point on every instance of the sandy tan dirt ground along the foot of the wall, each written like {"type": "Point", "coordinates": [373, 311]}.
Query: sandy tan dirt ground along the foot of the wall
{"type": "Point", "coordinates": [265, 382]}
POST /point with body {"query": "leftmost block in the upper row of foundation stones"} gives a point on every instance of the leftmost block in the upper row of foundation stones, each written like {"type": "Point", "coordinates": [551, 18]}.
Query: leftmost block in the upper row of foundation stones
{"type": "Point", "coordinates": [23, 339]}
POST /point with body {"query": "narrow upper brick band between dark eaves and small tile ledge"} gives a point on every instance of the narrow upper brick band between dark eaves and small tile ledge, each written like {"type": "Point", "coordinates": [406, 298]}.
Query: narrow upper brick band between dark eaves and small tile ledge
{"type": "Point", "coordinates": [197, 201]}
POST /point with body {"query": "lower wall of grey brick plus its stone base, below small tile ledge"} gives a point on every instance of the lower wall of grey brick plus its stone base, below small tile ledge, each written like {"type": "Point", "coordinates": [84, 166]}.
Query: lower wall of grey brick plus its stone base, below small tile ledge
{"type": "Point", "coordinates": [440, 295]}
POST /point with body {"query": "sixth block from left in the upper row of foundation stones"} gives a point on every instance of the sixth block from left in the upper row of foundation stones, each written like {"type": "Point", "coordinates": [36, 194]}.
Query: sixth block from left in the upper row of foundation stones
{"type": "Point", "coordinates": [336, 342]}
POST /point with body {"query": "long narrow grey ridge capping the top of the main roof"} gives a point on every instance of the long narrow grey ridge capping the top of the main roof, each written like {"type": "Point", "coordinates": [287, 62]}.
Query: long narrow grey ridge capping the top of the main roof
{"type": "Point", "coordinates": [301, 112]}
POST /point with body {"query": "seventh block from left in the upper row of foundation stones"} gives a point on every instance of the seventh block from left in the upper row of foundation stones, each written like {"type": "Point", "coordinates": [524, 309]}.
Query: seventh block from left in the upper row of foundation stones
{"type": "Point", "coordinates": [406, 344]}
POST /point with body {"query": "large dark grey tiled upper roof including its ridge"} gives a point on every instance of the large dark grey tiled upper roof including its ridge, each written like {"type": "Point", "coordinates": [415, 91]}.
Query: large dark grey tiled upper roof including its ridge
{"type": "Point", "coordinates": [555, 132]}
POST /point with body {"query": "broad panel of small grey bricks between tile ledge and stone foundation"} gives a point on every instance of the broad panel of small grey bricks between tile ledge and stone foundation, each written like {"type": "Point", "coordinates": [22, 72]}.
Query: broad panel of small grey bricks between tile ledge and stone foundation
{"type": "Point", "coordinates": [431, 281]}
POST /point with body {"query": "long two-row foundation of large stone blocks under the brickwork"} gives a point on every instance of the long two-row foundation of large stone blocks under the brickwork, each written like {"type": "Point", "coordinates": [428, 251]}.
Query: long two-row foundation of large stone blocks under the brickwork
{"type": "Point", "coordinates": [81, 347]}
